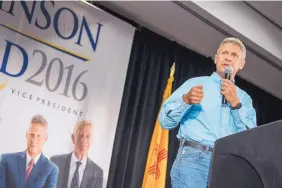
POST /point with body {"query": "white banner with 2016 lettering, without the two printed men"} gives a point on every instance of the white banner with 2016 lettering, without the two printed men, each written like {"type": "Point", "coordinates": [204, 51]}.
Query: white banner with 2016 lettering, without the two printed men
{"type": "Point", "coordinates": [66, 61]}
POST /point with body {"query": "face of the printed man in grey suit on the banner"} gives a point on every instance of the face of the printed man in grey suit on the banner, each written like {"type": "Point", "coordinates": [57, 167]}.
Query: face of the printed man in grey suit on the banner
{"type": "Point", "coordinates": [82, 140]}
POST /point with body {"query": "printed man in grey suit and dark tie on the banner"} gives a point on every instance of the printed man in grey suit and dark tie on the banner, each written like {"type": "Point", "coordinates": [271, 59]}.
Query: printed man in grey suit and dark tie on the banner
{"type": "Point", "coordinates": [77, 170]}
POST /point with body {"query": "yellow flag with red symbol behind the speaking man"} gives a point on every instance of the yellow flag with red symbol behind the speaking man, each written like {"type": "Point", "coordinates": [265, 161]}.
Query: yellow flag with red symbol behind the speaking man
{"type": "Point", "coordinates": [155, 171]}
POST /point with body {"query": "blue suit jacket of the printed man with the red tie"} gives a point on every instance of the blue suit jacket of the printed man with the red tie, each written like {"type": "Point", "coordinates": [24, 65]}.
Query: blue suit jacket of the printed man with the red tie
{"type": "Point", "coordinates": [13, 171]}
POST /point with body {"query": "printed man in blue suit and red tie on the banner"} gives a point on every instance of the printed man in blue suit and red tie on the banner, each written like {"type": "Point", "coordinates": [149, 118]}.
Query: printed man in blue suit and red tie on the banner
{"type": "Point", "coordinates": [30, 168]}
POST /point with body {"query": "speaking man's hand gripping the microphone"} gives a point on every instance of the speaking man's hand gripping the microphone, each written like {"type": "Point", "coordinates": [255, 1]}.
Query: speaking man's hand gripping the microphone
{"type": "Point", "coordinates": [228, 89]}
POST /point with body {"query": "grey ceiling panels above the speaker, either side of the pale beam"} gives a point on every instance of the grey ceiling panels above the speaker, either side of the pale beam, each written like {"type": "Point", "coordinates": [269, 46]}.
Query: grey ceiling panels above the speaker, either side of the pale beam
{"type": "Point", "coordinates": [191, 26]}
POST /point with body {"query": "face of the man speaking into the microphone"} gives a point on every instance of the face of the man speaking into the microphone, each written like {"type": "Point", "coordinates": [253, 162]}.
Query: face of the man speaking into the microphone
{"type": "Point", "coordinates": [229, 55]}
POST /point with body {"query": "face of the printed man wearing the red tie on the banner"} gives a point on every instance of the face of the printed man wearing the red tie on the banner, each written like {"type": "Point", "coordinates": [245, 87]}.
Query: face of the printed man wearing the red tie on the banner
{"type": "Point", "coordinates": [36, 137]}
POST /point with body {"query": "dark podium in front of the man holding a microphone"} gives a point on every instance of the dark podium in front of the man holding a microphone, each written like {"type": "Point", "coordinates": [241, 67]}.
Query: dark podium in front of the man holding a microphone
{"type": "Point", "coordinates": [249, 159]}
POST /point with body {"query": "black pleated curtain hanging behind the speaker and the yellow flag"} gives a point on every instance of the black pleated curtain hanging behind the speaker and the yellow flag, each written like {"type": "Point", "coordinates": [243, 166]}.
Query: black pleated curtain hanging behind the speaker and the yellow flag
{"type": "Point", "coordinates": [148, 71]}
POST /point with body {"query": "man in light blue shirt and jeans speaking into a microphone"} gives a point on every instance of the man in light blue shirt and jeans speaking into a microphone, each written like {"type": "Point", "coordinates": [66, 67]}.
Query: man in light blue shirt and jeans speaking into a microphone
{"type": "Point", "coordinates": [199, 107]}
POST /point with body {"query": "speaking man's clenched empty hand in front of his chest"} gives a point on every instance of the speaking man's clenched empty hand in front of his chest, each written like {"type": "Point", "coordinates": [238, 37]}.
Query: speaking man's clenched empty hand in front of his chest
{"type": "Point", "coordinates": [194, 96]}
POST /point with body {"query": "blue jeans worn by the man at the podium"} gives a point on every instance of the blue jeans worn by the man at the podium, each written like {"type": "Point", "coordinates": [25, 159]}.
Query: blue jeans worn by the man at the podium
{"type": "Point", "coordinates": [190, 168]}
